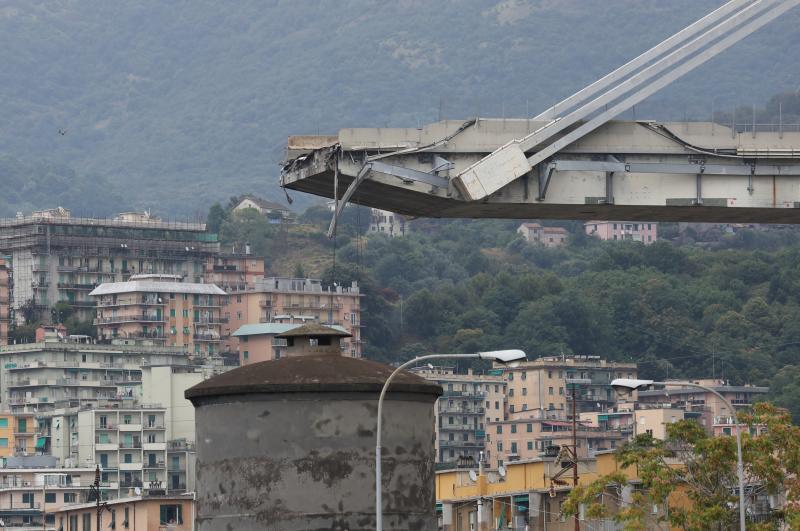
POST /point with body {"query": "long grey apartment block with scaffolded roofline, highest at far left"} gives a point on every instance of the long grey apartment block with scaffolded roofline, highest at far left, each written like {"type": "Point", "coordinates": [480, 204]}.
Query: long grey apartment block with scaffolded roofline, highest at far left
{"type": "Point", "coordinates": [56, 257]}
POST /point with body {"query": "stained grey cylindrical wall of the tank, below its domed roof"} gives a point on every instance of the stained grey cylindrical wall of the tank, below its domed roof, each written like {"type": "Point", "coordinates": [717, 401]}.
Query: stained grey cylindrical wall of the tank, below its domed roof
{"type": "Point", "coordinates": [306, 461]}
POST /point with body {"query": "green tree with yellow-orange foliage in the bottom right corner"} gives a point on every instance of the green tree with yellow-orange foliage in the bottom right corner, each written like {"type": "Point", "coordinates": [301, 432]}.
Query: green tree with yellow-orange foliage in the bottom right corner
{"type": "Point", "coordinates": [692, 466]}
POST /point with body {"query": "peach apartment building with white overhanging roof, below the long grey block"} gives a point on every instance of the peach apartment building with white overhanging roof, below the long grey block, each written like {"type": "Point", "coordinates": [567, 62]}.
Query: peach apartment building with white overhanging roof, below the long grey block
{"type": "Point", "coordinates": [163, 310]}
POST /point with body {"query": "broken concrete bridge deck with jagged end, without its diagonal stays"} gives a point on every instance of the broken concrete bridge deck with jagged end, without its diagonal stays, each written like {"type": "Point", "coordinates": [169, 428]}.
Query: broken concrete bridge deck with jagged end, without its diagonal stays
{"type": "Point", "coordinates": [644, 171]}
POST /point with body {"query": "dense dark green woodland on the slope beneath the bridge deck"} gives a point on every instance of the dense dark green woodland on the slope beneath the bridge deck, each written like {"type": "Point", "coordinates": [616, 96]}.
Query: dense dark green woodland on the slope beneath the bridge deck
{"type": "Point", "coordinates": [729, 308]}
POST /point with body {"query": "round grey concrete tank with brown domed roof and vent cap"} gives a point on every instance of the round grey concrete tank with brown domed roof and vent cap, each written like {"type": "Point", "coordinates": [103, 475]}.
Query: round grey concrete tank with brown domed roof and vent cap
{"type": "Point", "coordinates": [289, 444]}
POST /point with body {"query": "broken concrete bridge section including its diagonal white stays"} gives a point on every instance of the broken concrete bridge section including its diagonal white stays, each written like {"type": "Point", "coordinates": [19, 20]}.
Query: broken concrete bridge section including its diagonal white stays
{"type": "Point", "coordinates": [573, 161]}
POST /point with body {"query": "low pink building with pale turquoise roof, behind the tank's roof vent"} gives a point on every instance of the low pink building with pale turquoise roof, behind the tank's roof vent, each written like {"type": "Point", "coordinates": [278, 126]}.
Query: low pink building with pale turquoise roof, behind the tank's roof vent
{"type": "Point", "coordinates": [260, 342]}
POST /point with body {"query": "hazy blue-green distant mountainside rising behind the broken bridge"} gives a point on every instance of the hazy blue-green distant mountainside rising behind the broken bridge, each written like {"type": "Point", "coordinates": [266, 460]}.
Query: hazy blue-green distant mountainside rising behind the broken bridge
{"type": "Point", "coordinates": [176, 103]}
